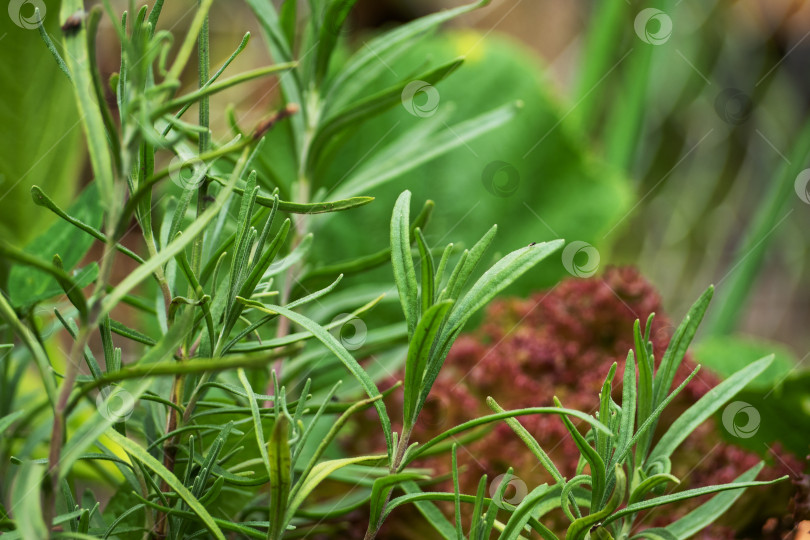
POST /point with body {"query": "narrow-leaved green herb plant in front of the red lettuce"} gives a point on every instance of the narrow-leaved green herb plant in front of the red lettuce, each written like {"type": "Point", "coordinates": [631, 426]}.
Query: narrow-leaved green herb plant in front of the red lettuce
{"type": "Point", "coordinates": [224, 421]}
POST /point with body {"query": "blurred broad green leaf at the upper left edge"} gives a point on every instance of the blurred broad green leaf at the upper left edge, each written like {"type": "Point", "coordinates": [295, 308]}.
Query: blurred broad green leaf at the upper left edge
{"type": "Point", "coordinates": [41, 136]}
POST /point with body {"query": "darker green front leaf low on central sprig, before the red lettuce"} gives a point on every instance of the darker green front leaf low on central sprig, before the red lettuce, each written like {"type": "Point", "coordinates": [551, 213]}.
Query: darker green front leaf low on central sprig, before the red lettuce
{"type": "Point", "coordinates": [418, 353]}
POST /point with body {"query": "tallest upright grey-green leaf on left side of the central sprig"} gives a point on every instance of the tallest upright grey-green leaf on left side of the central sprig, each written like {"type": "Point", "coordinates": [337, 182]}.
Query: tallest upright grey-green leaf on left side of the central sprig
{"type": "Point", "coordinates": [402, 261]}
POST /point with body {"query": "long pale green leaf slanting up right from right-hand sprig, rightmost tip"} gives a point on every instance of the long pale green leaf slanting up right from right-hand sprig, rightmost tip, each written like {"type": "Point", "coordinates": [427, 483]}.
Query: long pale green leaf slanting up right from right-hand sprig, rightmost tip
{"type": "Point", "coordinates": [705, 407]}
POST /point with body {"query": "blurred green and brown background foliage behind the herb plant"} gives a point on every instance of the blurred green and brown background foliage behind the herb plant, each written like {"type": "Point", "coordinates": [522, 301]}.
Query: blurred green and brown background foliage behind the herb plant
{"type": "Point", "coordinates": [677, 157]}
